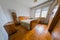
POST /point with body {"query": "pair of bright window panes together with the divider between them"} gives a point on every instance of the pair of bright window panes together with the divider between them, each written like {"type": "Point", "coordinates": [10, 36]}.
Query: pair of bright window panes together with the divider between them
{"type": "Point", "coordinates": [41, 12]}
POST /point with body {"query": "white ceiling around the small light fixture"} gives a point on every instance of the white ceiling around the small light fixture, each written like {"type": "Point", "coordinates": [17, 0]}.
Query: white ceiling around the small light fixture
{"type": "Point", "coordinates": [30, 3]}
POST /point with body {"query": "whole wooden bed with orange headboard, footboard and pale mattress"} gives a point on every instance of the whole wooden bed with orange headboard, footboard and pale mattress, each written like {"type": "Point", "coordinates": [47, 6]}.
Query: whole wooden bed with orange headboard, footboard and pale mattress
{"type": "Point", "coordinates": [27, 22]}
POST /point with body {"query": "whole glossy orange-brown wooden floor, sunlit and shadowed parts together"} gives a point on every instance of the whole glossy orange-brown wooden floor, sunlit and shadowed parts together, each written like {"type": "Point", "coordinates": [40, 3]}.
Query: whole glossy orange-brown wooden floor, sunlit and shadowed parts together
{"type": "Point", "coordinates": [38, 33]}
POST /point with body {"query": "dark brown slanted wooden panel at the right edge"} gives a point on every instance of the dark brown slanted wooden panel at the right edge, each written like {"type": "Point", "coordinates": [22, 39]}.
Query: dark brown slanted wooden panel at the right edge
{"type": "Point", "coordinates": [55, 20]}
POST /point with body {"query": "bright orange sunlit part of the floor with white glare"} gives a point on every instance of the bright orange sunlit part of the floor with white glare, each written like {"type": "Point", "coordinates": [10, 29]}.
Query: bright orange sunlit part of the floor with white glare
{"type": "Point", "coordinates": [37, 34]}
